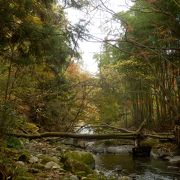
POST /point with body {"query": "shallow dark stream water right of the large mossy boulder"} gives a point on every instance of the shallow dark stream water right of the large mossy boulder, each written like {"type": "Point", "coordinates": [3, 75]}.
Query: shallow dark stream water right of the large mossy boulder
{"type": "Point", "coordinates": [137, 169]}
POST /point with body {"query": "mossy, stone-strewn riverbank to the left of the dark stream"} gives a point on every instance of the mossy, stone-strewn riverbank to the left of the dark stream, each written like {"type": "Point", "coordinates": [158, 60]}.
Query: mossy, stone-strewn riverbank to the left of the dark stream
{"type": "Point", "coordinates": [45, 159]}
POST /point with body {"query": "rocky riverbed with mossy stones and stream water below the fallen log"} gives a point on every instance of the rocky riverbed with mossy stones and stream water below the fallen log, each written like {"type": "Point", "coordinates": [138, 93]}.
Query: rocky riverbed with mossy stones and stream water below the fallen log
{"type": "Point", "coordinates": [55, 158]}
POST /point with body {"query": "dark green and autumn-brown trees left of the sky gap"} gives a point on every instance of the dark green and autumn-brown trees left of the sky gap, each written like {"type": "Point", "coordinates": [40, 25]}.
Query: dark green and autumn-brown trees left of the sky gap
{"type": "Point", "coordinates": [36, 48]}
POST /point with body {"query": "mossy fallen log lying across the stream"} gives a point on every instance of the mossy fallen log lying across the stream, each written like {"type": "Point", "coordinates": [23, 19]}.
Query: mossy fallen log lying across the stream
{"type": "Point", "coordinates": [137, 135]}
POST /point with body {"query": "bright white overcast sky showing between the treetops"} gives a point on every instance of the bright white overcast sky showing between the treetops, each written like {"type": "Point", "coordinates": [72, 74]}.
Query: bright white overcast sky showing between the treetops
{"type": "Point", "coordinates": [98, 27]}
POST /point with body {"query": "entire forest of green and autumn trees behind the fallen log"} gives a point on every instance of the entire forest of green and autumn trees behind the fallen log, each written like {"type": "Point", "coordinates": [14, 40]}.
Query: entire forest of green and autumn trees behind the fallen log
{"type": "Point", "coordinates": [44, 89]}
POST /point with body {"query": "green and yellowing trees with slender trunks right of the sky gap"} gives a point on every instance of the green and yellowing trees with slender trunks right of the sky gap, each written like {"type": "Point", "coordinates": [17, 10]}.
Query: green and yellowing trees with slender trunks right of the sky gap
{"type": "Point", "coordinates": [138, 71]}
